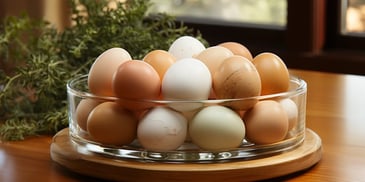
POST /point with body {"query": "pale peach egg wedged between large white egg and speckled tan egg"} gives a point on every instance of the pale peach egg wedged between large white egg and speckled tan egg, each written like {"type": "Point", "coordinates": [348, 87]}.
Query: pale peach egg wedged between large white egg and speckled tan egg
{"type": "Point", "coordinates": [213, 57]}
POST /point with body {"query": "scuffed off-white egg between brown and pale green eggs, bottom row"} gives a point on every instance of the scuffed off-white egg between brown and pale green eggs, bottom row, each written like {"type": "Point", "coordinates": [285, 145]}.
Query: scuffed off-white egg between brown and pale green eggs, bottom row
{"type": "Point", "coordinates": [162, 129]}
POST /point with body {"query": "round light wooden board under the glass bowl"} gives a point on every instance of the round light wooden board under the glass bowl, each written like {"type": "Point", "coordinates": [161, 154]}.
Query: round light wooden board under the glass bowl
{"type": "Point", "coordinates": [67, 154]}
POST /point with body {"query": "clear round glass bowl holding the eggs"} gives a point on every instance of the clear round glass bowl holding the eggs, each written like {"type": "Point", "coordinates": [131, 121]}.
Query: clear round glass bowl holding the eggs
{"type": "Point", "coordinates": [188, 151]}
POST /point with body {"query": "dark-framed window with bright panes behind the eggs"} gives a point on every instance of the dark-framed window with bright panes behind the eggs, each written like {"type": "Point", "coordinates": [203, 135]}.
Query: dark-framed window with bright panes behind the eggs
{"type": "Point", "coordinates": [314, 35]}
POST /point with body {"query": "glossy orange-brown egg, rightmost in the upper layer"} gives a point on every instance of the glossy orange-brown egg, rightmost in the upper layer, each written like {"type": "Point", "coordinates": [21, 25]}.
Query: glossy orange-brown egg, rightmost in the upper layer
{"type": "Point", "coordinates": [273, 73]}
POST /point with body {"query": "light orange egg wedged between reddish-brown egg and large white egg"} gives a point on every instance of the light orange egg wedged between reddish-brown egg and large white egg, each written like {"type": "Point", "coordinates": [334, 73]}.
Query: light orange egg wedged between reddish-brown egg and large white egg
{"type": "Point", "coordinates": [160, 60]}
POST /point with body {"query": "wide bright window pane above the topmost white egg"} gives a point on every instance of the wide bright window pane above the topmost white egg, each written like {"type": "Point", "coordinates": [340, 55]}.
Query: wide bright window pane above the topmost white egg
{"type": "Point", "coordinates": [265, 12]}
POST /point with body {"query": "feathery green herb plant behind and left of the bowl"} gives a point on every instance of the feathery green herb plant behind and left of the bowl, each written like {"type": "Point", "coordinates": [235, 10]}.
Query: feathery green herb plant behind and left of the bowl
{"type": "Point", "coordinates": [33, 98]}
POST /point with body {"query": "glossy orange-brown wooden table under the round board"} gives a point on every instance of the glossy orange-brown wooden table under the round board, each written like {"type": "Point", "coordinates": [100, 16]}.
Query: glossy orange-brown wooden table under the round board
{"type": "Point", "coordinates": [335, 111]}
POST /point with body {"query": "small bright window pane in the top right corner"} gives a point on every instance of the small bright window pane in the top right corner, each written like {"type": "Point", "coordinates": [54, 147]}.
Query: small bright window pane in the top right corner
{"type": "Point", "coordinates": [353, 19]}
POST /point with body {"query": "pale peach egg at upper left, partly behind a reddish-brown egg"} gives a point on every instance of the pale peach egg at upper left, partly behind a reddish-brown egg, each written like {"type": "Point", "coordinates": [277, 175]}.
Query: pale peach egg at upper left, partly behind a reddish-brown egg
{"type": "Point", "coordinates": [102, 70]}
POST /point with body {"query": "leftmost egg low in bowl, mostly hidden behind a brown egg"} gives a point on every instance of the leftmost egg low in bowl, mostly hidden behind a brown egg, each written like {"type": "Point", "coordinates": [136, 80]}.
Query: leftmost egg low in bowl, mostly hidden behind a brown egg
{"type": "Point", "coordinates": [83, 110]}
